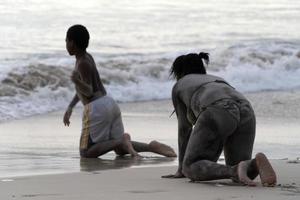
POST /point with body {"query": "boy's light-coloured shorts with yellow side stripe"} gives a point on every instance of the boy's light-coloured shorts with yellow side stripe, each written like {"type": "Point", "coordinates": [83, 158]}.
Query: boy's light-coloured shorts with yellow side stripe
{"type": "Point", "coordinates": [101, 121]}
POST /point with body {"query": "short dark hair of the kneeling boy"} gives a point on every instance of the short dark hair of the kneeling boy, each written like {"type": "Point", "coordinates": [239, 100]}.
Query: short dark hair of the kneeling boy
{"type": "Point", "coordinates": [80, 35]}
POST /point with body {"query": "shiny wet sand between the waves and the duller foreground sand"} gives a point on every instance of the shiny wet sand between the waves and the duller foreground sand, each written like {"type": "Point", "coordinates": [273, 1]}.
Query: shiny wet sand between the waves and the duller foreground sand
{"type": "Point", "coordinates": [41, 144]}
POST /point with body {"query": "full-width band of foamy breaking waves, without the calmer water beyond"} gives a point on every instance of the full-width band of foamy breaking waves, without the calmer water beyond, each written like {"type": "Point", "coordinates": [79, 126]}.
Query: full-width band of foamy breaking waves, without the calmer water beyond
{"type": "Point", "coordinates": [41, 84]}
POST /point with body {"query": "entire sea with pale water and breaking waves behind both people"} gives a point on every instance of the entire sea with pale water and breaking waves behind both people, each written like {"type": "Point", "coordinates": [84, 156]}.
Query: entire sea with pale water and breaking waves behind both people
{"type": "Point", "coordinates": [134, 58]}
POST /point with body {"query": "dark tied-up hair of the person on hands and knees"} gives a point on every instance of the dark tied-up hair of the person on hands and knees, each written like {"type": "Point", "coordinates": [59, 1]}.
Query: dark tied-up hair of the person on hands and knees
{"type": "Point", "coordinates": [189, 64]}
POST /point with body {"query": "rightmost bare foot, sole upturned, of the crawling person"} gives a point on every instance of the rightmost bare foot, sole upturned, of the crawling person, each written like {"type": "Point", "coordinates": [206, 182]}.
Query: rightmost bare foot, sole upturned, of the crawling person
{"type": "Point", "coordinates": [266, 172]}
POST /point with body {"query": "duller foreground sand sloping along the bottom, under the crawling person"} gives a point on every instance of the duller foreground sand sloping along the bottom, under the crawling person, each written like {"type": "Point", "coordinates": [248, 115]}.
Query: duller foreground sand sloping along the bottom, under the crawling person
{"type": "Point", "coordinates": [145, 183]}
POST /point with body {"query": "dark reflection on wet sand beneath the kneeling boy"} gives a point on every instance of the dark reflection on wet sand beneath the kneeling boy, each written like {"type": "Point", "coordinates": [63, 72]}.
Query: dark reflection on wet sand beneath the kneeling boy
{"type": "Point", "coordinates": [97, 164]}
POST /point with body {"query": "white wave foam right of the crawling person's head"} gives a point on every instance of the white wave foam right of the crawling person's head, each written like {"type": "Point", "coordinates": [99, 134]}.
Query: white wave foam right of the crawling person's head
{"type": "Point", "coordinates": [259, 66]}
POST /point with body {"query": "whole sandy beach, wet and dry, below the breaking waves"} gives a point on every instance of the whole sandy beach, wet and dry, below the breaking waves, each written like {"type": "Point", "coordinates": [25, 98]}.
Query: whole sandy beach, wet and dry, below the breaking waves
{"type": "Point", "coordinates": [39, 156]}
